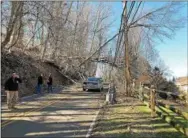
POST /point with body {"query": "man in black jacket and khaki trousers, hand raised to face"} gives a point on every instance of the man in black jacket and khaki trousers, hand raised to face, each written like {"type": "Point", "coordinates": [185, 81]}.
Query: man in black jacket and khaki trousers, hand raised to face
{"type": "Point", "coordinates": [11, 88]}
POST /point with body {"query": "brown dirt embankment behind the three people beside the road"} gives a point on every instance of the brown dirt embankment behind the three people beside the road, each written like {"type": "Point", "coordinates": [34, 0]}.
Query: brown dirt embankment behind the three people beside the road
{"type": "Point", "coordinates": [28, 70]}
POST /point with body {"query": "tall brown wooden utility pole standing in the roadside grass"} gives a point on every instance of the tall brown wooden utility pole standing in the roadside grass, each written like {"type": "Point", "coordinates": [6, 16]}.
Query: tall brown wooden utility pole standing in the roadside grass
{"type": "Point", "coordinates": [126, 52]}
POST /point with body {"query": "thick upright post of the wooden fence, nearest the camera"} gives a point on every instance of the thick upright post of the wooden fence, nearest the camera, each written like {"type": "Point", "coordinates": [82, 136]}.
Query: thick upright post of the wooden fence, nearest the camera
{"type": "Point", "coordinates": [152, 101]}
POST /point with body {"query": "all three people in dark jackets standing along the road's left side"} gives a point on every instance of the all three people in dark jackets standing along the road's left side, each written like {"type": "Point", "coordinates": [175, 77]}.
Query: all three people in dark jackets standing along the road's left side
{"type": "Point", "coordinates": [11, 88]}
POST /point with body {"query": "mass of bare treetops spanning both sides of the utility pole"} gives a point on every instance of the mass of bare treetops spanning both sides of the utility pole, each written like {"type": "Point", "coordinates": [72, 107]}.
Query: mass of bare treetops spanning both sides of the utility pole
{"type": "Point", "coordinates": [81, 29]}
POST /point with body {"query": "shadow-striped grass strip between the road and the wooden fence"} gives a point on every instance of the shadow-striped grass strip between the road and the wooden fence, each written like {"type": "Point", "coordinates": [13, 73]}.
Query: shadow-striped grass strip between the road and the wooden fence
{"type": "Point", "coordinates": [131, 119]}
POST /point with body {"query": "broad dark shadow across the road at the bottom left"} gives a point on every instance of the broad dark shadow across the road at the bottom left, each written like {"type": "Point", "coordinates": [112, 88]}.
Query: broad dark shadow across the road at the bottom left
{"type": "Point", "coordinates": [53, 129]}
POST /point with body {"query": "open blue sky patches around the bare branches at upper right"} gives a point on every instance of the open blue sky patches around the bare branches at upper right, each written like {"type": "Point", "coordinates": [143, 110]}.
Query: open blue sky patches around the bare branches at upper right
{"type": "Point", "coordinates": [174, 52]}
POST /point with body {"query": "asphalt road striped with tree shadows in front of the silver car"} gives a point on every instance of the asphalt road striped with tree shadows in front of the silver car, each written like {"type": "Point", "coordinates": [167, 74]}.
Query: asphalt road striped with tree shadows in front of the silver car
{"type": "Point", "coordinates": [65, 114]}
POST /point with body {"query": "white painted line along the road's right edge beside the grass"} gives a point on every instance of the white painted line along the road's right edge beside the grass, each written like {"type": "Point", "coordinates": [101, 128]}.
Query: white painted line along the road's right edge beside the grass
{"type": "Point", "coordinates": [93, 124]}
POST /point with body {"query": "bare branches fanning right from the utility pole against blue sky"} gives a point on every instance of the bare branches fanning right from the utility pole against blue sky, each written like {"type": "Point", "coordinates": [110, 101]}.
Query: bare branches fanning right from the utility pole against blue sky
{"type": "Point", "coordinates": [162, 21]}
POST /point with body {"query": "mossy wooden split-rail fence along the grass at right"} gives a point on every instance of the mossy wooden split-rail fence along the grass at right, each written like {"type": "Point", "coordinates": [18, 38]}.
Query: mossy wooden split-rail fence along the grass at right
{"type": "Point", "coordinates": [174, 116]}
